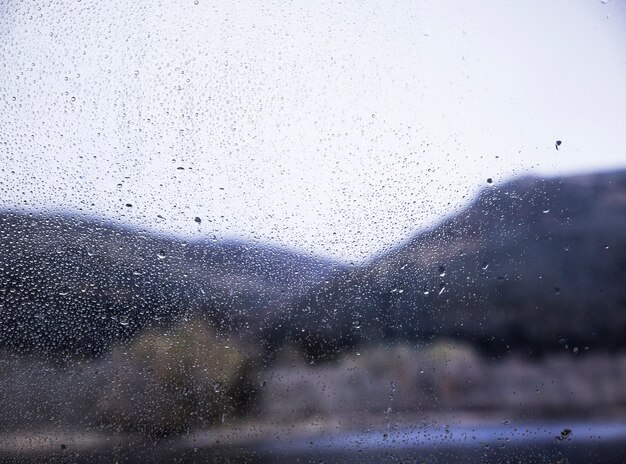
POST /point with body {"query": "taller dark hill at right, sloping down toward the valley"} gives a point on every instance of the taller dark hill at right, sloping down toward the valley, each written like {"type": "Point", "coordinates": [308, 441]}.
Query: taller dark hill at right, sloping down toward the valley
{"type": "Point", "coordinates": [534, 265]}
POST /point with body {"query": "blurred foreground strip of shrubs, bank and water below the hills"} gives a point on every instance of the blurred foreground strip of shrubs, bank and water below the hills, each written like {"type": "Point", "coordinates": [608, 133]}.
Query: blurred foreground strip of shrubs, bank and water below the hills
{"type": "Point", "coordinates": [188, 393]}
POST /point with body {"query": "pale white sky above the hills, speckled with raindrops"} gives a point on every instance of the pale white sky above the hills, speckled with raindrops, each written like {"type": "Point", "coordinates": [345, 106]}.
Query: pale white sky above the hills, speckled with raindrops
{"type": "Point", "coordinates": [336, 128]}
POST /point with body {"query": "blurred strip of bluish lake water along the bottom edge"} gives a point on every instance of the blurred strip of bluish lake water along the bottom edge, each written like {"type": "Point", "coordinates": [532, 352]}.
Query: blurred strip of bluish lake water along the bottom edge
{"type": "Point", "coordinates": [550, 442]}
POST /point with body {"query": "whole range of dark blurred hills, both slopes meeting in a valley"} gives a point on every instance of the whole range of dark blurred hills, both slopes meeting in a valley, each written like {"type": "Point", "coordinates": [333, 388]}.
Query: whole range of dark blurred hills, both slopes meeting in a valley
{"type": "Point", "coordinates": [533, 265]}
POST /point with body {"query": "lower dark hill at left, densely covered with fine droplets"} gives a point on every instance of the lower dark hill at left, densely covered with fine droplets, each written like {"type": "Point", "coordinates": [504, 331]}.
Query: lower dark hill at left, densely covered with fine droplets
{"type": "Point", "coordinates": [71, 285]}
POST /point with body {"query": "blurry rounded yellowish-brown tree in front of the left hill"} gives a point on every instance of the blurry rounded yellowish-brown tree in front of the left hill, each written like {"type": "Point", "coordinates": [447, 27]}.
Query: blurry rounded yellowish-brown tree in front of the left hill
{"type": "Point", "coordinates": [169, 381]}
